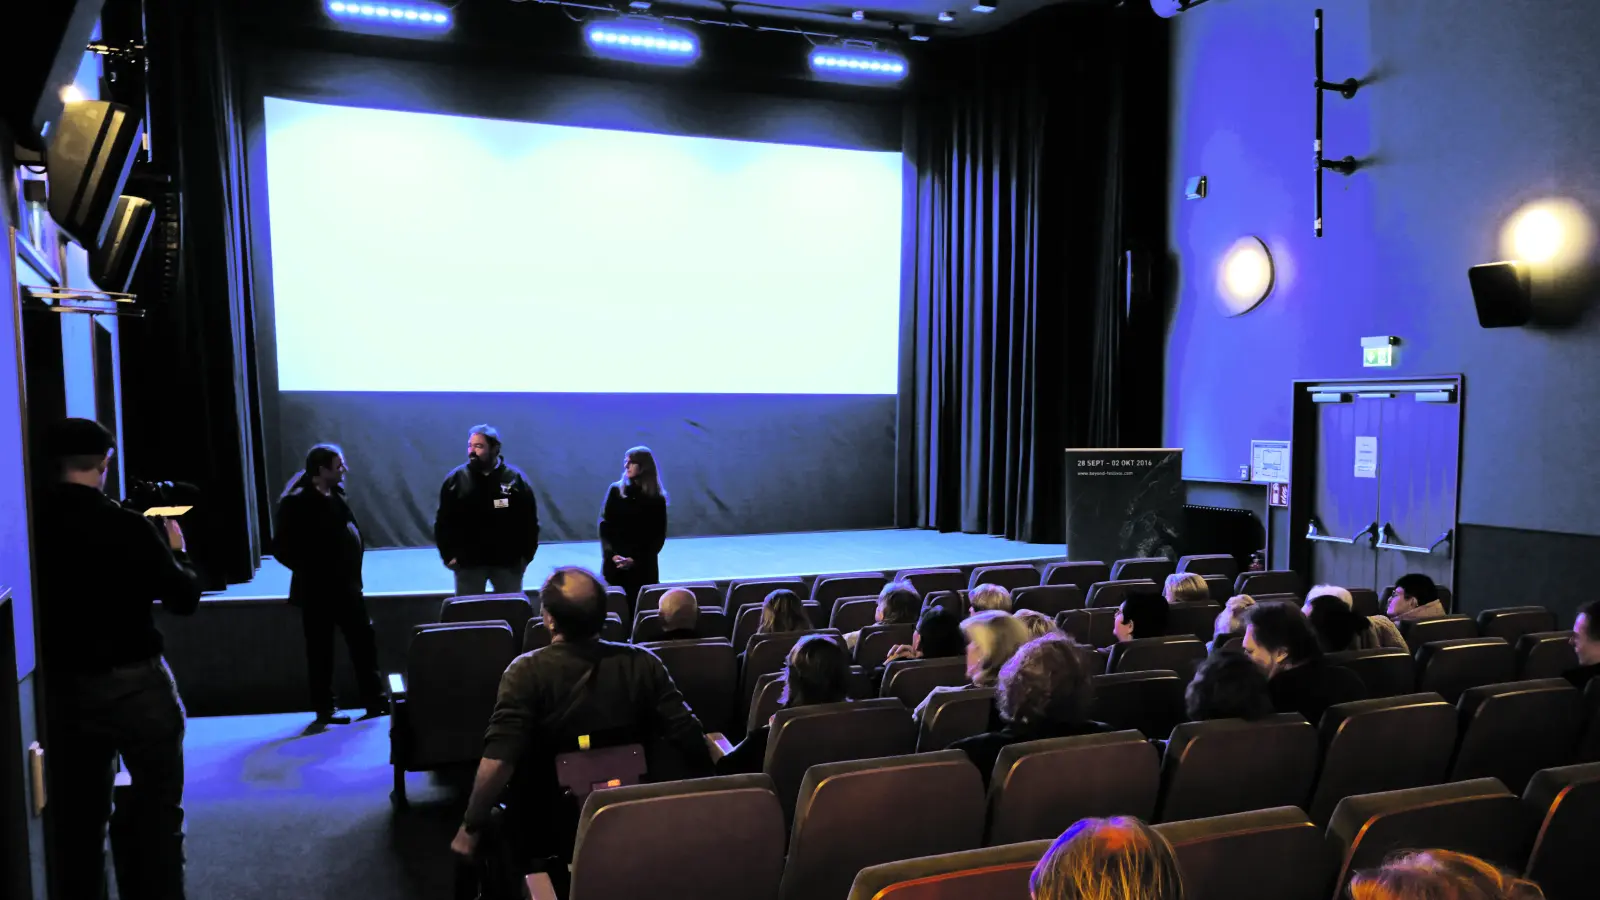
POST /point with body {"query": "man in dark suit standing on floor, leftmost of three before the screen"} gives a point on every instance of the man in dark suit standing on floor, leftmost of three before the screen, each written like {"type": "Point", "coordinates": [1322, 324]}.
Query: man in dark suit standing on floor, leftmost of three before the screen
{"type": "Point", "coordinates": [321, 544]}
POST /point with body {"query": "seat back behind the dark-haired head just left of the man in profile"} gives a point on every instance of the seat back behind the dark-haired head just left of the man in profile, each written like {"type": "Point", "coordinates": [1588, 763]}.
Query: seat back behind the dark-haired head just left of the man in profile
{"type": "Point", "coordinates": [1206, 769]}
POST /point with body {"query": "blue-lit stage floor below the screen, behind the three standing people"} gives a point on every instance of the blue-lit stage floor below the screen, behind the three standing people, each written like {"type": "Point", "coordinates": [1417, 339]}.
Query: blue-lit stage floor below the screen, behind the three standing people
{"type": "Point", "coordinates": [418, 571]}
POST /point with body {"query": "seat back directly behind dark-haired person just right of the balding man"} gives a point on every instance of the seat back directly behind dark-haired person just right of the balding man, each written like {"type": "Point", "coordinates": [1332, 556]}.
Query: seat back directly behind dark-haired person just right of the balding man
{"type": "Point", "coordinates": [831, 733]}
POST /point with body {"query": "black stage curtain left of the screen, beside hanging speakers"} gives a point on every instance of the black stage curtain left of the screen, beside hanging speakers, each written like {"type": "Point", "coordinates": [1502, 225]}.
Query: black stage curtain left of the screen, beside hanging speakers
{"type": "Point", "coordinates": [190, 376]}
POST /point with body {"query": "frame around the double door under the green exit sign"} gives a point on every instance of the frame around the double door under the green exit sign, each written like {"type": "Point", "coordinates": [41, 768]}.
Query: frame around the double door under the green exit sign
{"type": "Point", "coordinates": [1303, 462]}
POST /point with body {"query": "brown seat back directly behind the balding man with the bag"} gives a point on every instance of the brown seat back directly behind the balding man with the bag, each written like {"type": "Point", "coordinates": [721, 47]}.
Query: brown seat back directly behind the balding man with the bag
{"type": "Point", "coordinates": [633, 843]}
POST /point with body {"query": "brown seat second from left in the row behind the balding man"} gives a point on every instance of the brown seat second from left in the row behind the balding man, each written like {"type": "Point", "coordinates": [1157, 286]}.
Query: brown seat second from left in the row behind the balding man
{"type": "Point", "coordinates": [860, 814]}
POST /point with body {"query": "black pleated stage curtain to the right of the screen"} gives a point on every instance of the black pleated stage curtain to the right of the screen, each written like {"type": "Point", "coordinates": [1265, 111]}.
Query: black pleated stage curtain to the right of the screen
{"type": "Point", "coordinates": [1039, 163]}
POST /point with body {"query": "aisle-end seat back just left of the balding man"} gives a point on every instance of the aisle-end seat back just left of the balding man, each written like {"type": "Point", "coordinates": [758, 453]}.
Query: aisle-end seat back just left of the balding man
{"type": "Point", "coordinates": [454, 675]}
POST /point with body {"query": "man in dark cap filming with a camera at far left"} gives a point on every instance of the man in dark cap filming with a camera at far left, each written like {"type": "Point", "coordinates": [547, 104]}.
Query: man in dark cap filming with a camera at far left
{"type": "Point", "coordinates": [108, 691]}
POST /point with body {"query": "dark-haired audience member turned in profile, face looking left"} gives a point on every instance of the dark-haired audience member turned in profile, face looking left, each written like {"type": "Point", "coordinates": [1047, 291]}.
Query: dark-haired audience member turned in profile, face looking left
{"type": "Point", "coordinates": [1281, 641]}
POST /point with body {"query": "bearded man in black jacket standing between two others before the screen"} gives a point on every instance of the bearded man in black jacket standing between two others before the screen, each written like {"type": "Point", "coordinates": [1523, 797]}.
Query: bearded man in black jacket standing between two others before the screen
{"type": "Point", "coordinates": [489, 520]}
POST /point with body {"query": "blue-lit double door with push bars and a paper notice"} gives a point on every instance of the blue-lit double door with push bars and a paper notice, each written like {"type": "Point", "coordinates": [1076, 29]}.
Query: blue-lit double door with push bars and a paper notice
{"type": "Point", "coordinates": [1386, 464]}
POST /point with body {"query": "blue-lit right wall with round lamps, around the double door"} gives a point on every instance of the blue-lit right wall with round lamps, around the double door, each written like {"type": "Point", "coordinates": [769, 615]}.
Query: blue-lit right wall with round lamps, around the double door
{"type": "Point", "coordinates": [1476, 106]}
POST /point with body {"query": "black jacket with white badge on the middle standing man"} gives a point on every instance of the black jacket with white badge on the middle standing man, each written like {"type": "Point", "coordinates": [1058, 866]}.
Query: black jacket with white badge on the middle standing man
{"type": "Point", "coordinates": [487, 518]}
